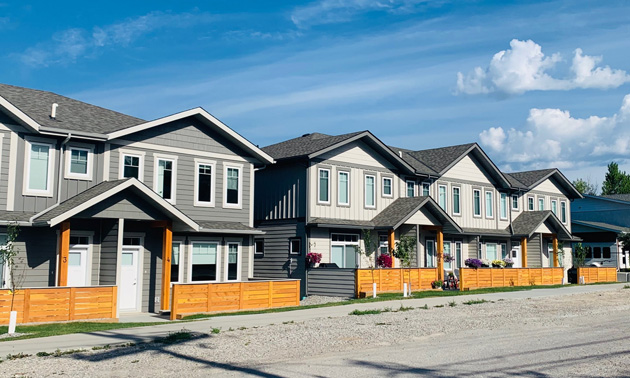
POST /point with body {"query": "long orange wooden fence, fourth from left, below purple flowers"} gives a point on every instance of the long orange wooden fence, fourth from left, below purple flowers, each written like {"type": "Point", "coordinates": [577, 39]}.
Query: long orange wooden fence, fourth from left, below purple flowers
{"type": "Point", "coordinates": [470, 278]}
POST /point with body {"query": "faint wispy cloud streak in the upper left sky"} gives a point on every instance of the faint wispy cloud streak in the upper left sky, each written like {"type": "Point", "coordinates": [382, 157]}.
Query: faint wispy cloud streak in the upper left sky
{"type": "Point", "coordinates": [69, 45]}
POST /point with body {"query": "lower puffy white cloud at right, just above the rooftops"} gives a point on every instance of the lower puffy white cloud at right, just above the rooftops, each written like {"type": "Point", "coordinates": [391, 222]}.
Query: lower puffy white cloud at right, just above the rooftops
{"type": "Point", "coordinates": [552, 137]}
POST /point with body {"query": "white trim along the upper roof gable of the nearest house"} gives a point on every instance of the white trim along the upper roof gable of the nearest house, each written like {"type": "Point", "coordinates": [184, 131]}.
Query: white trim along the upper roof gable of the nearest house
{"type": "Point", "coordinates": [207, 116]}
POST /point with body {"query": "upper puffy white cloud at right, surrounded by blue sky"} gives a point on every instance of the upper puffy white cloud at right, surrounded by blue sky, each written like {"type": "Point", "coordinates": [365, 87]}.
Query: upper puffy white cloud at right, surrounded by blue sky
{"type": "Point", "coordinates": [524, 67]}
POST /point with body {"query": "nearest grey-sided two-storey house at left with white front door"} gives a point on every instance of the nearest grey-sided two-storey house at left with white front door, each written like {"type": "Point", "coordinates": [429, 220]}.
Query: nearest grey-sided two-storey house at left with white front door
{"type": "Point", "coordinates": [103, 198]}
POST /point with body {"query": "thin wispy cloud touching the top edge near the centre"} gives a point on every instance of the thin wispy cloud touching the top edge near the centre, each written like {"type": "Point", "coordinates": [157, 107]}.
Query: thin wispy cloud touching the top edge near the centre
{"type": "Point", "coordinates": [336, 11]}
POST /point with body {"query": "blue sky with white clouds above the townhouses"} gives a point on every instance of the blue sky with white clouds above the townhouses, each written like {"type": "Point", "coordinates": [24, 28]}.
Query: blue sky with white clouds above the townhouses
{"type": "Point", "coordinates": [537, 84]}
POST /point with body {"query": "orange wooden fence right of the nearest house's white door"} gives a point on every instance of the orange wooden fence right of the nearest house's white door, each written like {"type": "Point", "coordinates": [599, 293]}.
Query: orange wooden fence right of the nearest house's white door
{"type": "Point", "coordinates": [190, 299]}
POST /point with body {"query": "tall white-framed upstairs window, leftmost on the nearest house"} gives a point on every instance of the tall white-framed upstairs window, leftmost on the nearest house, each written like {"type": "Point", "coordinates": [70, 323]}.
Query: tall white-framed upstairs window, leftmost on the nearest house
{"type": "Point", "coordinates": [40, 158]}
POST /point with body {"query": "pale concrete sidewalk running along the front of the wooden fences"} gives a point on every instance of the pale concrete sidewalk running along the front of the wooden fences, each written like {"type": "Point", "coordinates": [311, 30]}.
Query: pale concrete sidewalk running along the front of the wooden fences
{"type": "Point", "coordinates": [149, 333]}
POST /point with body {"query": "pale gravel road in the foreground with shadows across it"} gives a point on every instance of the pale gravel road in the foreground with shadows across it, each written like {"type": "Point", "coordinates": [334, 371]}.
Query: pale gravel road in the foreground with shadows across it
{"type": "Point", "coordinates": [571, 335]}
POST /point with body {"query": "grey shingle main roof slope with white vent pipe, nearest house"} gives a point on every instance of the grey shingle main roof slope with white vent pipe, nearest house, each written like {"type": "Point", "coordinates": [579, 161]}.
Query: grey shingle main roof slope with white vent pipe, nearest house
{"type": "Point", "coordinates": [72, 114]}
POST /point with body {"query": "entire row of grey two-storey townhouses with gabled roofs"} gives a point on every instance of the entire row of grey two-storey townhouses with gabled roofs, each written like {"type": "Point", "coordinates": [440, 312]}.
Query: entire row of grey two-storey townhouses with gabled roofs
{"type": "Point", "coordinates": [102, 198]}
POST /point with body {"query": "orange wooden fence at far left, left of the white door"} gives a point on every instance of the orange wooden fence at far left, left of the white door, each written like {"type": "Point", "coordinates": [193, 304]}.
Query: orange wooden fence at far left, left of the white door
{"type": "Point", "coordinates": [55, 304]}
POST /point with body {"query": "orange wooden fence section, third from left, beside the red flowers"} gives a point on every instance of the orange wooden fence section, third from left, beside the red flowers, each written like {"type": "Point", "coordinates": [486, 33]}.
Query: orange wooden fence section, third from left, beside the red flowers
{"type": "Point", "coordinates": [391, 279]}
